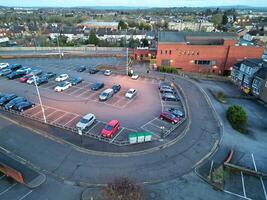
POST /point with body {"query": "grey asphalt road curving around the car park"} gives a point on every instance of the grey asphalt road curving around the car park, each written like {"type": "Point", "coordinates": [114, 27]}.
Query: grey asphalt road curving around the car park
{"type": "Point", "coordinates": [168, 163]}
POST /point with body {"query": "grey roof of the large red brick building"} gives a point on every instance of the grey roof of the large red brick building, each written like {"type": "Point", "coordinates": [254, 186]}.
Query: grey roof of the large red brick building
{"type": "Point", "coordinates": [185, 37]}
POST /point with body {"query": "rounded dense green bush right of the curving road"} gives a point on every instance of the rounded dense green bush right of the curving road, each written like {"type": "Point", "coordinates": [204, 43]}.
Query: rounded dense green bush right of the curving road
{"type": "Point", "coordinates": [237, 117]}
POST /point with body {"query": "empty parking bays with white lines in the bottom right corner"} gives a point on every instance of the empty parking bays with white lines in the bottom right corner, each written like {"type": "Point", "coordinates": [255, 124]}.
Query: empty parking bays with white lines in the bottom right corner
{"type": "Point", "coordinates": [243, 185]}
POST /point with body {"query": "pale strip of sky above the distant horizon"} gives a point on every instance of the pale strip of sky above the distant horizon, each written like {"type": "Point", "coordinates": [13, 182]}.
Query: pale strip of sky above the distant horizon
{"type": "Point", "coordinates": [134, 3]}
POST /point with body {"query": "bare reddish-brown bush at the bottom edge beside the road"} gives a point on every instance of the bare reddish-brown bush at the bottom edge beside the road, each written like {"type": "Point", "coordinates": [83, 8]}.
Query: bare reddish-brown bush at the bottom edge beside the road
{"type": "Point", "coordinates": [122, 189]}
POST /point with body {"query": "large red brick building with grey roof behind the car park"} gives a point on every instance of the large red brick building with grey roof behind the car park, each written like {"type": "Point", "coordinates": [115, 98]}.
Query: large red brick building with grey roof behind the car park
{"type": "Point", "coordinates": [203, 52]}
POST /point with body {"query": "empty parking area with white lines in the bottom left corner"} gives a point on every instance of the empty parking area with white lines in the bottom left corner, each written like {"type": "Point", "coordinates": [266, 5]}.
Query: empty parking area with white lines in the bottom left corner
{"type": "Point", "coordinates": [10, 189]}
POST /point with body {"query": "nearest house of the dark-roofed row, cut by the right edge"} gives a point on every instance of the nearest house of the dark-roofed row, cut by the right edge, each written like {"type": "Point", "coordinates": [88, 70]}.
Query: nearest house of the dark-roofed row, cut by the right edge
{"type": "Point", "coordinates": [259, 84]}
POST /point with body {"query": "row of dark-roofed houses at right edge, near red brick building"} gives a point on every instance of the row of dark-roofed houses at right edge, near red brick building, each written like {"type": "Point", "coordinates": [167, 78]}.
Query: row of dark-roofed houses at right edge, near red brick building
{"type": "Point", "coordinates": [251, 76]}
